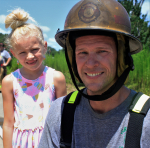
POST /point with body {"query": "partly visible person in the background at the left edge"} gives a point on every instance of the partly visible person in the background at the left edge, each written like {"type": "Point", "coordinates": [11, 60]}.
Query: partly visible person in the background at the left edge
{"type": "Point", "coordinates": [5, 59]}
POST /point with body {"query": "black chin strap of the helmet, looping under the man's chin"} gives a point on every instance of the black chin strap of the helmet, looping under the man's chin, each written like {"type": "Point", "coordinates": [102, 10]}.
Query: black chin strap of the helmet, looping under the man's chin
{"type": "Point", "coordinates": [112, 90]}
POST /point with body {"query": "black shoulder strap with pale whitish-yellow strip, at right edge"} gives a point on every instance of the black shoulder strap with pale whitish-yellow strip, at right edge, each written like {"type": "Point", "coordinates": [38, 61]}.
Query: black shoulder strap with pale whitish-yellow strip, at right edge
{"type": "Point", "coordinates": [138, 110]}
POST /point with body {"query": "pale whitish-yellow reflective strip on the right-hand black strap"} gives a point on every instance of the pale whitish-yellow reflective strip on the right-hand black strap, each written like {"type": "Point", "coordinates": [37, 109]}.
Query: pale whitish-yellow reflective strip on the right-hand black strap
{"type": "Point", "coordinates": [139, 105]}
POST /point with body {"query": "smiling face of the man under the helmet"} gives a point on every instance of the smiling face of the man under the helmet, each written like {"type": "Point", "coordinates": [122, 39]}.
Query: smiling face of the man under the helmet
{"type": "Point", "coordinates": [96, 58]}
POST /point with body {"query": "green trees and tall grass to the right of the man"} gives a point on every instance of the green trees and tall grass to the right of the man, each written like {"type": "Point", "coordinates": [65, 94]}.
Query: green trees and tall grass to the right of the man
{"type": "Point", "coordinates": [139, 79]}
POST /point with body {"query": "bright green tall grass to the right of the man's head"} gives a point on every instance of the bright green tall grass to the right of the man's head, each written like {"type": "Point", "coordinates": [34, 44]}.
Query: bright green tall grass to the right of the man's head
{"type": "Point", "coordinates": [139, 79]}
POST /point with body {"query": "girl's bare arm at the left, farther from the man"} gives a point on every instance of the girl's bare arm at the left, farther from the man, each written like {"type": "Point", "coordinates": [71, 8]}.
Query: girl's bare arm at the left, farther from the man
{"type": "Point", "coordinates": [8, 107]}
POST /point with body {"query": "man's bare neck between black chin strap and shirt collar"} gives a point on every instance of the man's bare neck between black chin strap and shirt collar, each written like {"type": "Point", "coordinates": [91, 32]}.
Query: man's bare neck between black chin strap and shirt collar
{"type": "Point", "coordinates": [111, 103]}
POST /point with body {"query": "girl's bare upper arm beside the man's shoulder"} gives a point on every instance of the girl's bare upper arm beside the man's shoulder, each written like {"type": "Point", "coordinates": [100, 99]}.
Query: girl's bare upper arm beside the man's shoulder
{"type": "Point", "coordinates": [60, 84]}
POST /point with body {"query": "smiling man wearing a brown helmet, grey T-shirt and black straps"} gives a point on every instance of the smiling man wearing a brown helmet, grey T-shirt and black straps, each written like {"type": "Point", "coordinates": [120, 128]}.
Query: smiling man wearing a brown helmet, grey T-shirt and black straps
{"type": "Point", "coordinates": [98, 47]}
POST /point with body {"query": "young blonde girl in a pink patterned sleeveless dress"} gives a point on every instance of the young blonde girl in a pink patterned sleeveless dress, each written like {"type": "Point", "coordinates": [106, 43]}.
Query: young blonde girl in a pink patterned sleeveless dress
{"type": "Point", "coordinates": [29, 91]}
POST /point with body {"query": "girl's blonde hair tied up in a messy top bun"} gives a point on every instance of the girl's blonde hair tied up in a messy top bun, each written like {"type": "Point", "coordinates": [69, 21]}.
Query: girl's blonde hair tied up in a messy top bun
{"type": "Point", "coordinates": [16, 20]}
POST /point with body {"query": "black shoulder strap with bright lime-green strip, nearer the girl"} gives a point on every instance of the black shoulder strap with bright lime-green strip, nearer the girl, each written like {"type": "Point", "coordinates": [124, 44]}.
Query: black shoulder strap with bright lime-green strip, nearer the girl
{"type": "Point", "coordinates": [67, 120]}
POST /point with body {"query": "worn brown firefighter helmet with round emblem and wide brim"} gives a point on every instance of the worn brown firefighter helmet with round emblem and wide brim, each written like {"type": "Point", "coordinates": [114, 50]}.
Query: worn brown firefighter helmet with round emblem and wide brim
{"type": "Point", "coordinates": [100, 15]}
